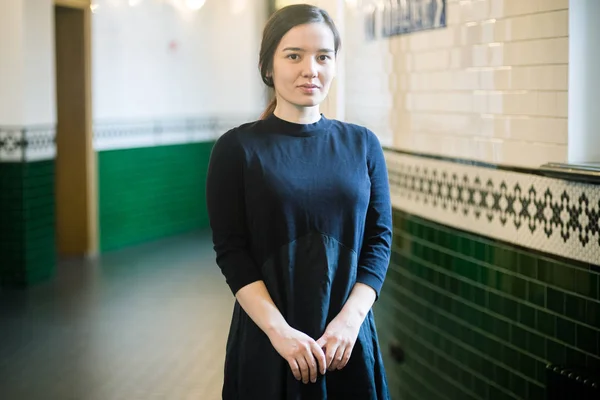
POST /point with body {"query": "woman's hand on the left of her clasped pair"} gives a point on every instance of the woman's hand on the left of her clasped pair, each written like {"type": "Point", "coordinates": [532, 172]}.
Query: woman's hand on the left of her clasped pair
{"type": "Point", "coordinates": [301, 352]}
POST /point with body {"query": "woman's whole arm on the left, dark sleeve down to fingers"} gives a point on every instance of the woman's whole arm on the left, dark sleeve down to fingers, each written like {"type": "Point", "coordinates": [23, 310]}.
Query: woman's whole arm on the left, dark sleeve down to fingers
{"type": "Point", "coordinates": [226, 211]}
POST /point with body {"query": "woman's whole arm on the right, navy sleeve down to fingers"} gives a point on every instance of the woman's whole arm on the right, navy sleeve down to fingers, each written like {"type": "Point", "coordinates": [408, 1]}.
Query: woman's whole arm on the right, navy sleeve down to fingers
{"type": "Point", "coordinates": [341, 333]}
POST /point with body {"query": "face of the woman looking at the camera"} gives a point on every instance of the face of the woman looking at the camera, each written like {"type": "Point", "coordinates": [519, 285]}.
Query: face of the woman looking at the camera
{"type": "Point", "coordinates": [304, 65]}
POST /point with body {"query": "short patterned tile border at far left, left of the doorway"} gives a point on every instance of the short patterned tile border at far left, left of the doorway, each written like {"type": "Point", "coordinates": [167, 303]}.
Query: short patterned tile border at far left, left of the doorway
{"type": "Point", "coordinates": [27, 143]}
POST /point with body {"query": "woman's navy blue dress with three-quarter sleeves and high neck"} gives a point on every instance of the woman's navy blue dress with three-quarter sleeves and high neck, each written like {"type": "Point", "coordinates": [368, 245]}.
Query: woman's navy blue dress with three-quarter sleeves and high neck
{"type": "Point", "coordinates": [306, 209]}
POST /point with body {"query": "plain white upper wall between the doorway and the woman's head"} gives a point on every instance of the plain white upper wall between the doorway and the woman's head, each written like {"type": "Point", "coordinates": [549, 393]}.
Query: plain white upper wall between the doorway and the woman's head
{"type": "Point", "coordinates": [212, 69]}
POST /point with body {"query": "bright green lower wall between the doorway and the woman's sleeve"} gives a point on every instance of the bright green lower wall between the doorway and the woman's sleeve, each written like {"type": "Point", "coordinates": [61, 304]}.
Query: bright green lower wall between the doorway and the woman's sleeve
{"type": "Point", "coordinates": [152, 192]}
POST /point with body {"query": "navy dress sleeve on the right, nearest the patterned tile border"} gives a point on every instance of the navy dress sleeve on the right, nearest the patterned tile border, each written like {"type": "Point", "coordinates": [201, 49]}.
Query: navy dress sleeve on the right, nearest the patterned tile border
{"type": "Point", "coordinates": [376, 247]}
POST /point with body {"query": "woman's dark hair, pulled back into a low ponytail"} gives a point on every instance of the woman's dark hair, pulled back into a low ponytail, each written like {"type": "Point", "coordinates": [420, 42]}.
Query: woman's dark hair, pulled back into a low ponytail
{"type": "Point", "coordinates": [277, 26]}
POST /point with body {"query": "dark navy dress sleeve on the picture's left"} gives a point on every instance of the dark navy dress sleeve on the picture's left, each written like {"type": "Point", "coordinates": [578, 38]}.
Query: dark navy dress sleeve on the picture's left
{"type": "Point", "coordinates": [226, 212]}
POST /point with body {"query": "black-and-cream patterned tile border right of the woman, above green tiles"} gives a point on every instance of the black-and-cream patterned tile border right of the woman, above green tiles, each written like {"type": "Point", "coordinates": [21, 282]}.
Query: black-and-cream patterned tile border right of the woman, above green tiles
{"type": "Point", "coordinates": [551, 215]}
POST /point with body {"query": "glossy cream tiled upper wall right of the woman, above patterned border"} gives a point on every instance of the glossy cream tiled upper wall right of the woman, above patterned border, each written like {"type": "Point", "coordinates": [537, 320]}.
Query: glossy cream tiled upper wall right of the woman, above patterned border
{"type": "Point", "coordinates": [491, 86]}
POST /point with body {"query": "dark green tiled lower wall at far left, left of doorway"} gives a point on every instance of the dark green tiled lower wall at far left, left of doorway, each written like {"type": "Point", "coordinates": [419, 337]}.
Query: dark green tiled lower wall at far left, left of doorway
{"type": "Point", "coordinates": [27, 237]}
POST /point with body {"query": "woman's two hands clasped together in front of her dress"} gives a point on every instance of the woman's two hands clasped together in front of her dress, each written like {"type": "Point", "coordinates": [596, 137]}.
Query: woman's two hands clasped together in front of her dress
{"type": "Point", "coordinates": [307, 357]}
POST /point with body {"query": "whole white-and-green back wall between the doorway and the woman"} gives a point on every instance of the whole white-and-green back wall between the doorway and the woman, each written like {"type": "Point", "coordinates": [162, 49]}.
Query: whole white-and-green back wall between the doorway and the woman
{"type": "Point", "coordinates": [162, 94]}
